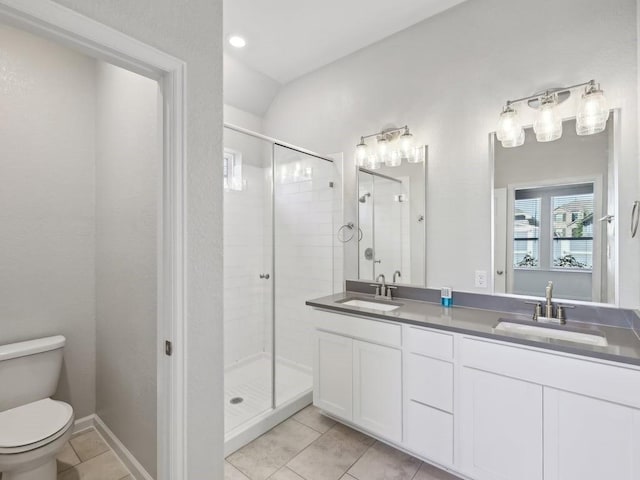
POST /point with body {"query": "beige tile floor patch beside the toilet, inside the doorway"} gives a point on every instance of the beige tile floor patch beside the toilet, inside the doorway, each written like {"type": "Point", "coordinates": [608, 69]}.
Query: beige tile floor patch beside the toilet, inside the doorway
{"type": "Point", "coordinates": [87, 457]}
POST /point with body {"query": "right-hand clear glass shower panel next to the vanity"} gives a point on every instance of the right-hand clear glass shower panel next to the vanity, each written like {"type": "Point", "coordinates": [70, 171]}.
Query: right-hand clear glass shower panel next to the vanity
{"type": "Point", "coordinates": [304, 204]}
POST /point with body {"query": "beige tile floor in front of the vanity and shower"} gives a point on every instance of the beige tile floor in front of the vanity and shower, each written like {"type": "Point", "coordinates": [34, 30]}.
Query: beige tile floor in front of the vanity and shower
{"type": "Point", "coordinates": [310, 446]}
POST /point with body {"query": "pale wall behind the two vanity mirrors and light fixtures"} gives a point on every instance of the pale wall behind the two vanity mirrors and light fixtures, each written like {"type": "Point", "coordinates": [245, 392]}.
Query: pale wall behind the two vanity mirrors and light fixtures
{"type": "Point", "coordinates": [448, 78]}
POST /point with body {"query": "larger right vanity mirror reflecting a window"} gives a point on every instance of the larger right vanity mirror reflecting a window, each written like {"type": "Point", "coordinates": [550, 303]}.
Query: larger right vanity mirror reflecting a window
{"type": "Point", "coordinates": [554, 216]}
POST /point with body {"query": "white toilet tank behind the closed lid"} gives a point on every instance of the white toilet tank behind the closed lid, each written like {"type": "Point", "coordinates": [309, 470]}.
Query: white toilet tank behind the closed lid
{"type": "Point", "coordinates": [29, 371]}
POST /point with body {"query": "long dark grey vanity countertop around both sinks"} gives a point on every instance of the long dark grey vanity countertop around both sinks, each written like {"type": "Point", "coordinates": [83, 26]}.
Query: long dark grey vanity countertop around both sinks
{"type": "Point", "coordinates": [624, 344]}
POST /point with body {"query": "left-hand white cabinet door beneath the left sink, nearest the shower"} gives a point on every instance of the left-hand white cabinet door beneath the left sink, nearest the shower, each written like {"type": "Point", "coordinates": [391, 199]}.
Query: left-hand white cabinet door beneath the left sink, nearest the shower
{"type": "Point", "coordinates": [332, 379]}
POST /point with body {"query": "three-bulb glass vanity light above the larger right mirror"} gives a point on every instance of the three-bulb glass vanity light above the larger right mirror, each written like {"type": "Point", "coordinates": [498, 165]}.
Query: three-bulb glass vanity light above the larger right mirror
{"type": "Point", "coordinates": [591, 117]}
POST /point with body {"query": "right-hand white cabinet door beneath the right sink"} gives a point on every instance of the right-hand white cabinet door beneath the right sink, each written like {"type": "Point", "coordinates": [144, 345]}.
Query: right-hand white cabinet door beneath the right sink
{"type": "Point", "coordinates": [589, 439]}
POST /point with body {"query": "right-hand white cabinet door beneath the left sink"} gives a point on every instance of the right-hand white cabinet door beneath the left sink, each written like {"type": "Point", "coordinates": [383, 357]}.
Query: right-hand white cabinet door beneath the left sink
{"type": "Point", "coordinates": [377, 389]}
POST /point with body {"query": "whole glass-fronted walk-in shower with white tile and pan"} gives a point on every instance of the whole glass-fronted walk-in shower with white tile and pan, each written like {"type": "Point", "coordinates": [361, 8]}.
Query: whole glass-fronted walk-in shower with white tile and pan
{"type": "Point", "coordinates": [279, 208]}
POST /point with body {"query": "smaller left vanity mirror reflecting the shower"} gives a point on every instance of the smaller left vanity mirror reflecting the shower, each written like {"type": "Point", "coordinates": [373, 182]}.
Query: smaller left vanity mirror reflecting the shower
{"type": "Point", "coordinates": [391, 218]}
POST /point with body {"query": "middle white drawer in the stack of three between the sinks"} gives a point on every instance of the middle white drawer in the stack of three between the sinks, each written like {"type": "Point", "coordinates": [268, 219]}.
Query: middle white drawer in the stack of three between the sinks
{"type": "Point", "coordinates": [430, 381]}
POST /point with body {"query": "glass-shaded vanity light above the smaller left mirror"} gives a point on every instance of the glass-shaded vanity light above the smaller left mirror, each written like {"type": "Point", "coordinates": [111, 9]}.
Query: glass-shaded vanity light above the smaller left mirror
{"type": "Point", "coordinates": [393, 145]}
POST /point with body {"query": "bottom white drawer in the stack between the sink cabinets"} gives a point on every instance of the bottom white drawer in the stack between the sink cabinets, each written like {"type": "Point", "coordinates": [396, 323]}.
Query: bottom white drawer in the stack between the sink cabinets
{"type": "Point", "coordinates": [430, 433]}
